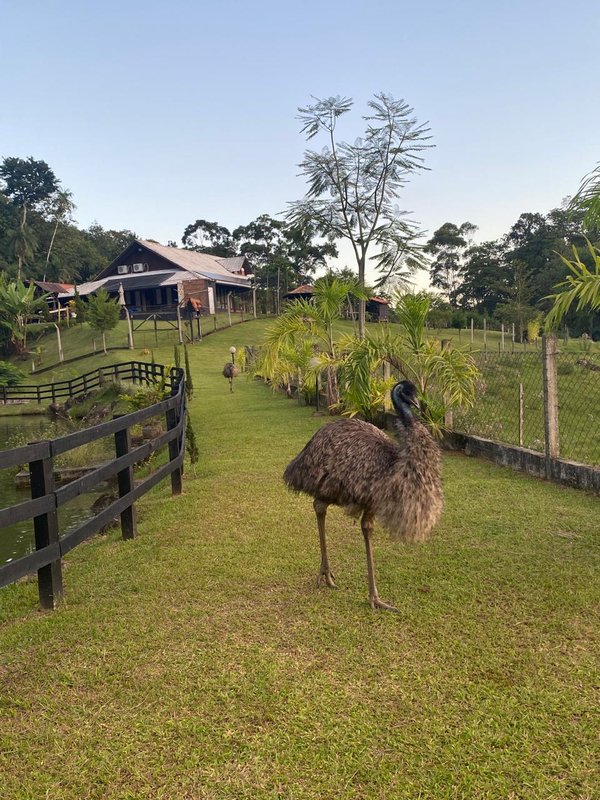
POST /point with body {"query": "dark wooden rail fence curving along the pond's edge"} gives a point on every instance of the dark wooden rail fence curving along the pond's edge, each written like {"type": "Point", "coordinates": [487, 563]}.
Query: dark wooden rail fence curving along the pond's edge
{"type": "Point", "coordinates": [46, 498]}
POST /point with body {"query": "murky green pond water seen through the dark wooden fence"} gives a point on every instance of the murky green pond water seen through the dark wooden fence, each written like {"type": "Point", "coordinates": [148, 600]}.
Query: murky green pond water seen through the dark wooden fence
{"type": "Point", "coordinates": [18, 540]}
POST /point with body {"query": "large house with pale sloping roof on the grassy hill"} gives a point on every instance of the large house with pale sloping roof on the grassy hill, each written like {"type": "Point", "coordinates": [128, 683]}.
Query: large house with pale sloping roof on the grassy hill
{"type": "Point", "coordinates": [156, 278]}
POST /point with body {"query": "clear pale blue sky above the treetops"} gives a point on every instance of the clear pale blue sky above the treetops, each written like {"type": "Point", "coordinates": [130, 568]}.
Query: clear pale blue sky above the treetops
{"type": "Point", "coordinates": [155, 114]}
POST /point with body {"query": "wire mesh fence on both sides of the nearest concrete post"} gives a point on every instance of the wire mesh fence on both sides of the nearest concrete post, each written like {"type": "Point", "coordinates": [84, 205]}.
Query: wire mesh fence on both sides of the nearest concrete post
{"type": "Point", "coordinates": [509, 405]}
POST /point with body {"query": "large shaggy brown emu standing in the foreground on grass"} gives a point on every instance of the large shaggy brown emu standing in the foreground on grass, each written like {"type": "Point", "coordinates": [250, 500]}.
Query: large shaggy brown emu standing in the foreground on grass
{"type": "Point", "coordinates": [354, 465]}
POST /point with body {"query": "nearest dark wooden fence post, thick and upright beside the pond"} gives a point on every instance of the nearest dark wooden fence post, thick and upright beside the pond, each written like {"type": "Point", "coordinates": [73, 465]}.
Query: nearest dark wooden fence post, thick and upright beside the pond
{"type": "Point", "coordinates": [45, 526]}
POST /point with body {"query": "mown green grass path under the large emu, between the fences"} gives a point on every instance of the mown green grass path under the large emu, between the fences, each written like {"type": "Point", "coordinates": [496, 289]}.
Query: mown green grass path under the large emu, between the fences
{"type": "Point", "coordinates": [201, 661]}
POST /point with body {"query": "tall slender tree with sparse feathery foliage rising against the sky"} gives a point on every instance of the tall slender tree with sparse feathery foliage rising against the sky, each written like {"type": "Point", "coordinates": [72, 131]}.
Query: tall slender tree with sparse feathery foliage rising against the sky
{"type": "Point", "coordinates": [352, 188]}
